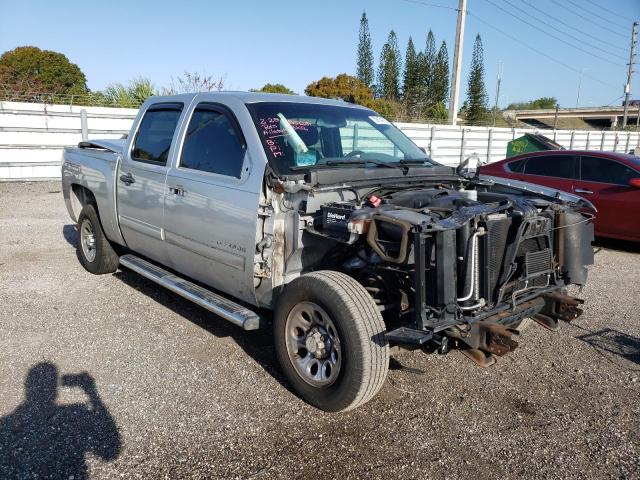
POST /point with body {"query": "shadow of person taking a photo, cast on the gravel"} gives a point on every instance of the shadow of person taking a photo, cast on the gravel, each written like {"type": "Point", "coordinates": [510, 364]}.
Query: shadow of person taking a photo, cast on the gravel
{"type": "Point", "coordinates": [44, 439]}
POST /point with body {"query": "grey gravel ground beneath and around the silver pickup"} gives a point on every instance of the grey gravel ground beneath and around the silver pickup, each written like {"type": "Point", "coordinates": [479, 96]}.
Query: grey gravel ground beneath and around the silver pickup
{"type": "Point", "coordinates": [170, 391]}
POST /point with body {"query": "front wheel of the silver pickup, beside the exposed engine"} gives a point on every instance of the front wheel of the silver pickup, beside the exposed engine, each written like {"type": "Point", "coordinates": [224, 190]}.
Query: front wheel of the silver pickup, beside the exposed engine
{"type": "Point", "coordinates": [341, 360]}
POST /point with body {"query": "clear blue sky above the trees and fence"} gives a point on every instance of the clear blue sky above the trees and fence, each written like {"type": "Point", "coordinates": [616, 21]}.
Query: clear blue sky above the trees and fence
{"type": "Point", "coordinates": [252, 42]}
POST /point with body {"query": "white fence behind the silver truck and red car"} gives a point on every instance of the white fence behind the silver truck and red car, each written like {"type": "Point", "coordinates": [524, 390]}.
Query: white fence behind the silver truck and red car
{"type": "Point", "coordinates": [32, 136]}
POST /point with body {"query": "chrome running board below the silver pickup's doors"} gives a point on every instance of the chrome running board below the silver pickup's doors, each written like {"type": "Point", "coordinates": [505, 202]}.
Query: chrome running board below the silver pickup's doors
{"type": "Point", "coordinates": [221, 306]}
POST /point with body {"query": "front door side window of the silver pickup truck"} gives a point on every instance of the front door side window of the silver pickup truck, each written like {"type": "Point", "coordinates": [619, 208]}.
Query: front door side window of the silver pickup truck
{"type": "Point", "coordinates": [213, 143]}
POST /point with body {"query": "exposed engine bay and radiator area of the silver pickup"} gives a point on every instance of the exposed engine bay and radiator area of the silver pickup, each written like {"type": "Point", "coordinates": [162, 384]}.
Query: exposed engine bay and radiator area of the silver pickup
{"type": "Point", "coordinates": [465, 260]}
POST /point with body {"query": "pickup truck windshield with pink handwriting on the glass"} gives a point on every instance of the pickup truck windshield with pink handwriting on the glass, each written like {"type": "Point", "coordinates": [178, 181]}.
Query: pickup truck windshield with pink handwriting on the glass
{"type": "Point", "coordinates": [302, 136]}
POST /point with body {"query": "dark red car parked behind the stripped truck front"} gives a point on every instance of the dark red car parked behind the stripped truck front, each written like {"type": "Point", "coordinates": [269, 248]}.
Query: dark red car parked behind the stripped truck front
{"type": "Point", "coordinates": [609, 180]}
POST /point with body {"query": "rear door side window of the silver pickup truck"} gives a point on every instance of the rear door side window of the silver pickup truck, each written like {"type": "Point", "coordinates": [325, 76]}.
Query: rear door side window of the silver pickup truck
{"type": "Point", "coordinates": [155, 133]}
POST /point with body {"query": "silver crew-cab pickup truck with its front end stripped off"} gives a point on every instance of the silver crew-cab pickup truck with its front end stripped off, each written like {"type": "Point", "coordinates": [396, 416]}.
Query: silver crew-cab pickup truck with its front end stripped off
{"type": "Point", "coordinates": [327, 215]}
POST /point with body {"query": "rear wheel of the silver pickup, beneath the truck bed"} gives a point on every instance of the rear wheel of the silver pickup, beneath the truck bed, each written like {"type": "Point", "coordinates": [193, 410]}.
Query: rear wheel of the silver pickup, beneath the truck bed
{"type": "Point", "coordinates": [94, 250]}
